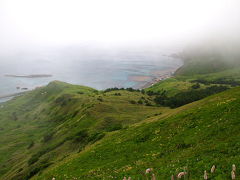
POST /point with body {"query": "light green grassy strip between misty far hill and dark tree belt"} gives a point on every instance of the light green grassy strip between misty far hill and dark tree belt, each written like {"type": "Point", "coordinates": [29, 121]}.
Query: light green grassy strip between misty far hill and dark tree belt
{"type": "Point", "coordinates": [180, 83]}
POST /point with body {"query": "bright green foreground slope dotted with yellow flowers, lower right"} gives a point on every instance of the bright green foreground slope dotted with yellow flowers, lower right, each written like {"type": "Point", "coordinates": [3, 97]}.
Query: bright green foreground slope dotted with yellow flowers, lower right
{"type": "Point", "coordinates": [195, 136]}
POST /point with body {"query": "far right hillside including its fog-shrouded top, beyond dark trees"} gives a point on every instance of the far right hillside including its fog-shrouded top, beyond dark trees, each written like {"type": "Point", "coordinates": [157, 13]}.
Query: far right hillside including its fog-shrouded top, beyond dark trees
{"type": "Point", "coordinates": [205, 65]}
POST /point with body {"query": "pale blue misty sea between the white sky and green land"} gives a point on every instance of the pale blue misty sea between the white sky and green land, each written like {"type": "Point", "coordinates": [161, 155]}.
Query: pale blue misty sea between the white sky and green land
{"type": "Point", "coordinates": [99, 70]}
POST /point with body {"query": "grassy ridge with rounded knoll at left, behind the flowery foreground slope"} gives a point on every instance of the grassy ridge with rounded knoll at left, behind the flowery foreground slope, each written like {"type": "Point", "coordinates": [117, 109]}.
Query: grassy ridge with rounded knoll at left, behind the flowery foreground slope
{"type": "Point", "coordinates": [48, 124]}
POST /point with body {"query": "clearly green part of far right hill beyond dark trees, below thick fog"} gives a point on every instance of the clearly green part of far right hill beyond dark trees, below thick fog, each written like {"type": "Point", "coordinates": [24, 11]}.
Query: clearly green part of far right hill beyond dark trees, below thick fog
{"type": "Point", "coordinates": [200, 71]}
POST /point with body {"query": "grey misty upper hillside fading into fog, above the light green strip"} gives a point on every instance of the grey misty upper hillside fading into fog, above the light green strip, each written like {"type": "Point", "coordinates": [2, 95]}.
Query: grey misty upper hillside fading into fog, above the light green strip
{"type": "Point", "coordinates": [209, 58]}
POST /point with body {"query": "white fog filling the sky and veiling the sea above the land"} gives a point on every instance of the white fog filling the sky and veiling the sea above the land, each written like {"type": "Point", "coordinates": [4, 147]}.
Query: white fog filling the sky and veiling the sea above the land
{"type": "Point", "coordinates": [110, 42]}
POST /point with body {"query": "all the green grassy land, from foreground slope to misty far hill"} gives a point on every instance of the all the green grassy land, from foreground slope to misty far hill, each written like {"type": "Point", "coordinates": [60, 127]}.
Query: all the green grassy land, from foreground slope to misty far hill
{"type": "Point", "coordinates": [75, 132]}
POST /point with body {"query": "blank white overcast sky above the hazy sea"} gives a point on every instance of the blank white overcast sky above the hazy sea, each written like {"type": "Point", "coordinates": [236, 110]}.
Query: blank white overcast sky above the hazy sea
{"type": "Point", "coordinates": [24, 23]}
